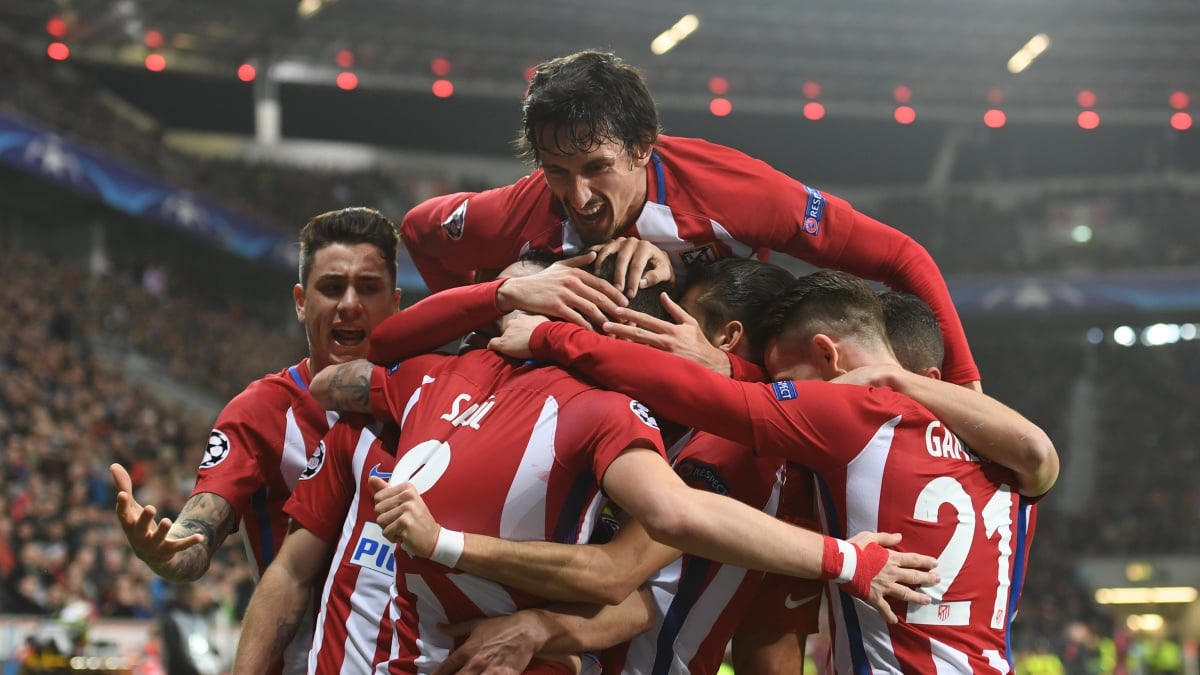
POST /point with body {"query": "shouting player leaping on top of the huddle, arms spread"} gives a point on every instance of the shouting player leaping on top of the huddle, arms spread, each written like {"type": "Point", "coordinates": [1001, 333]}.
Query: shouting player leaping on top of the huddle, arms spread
{"type": "Point", "coordinates": [604, 171]}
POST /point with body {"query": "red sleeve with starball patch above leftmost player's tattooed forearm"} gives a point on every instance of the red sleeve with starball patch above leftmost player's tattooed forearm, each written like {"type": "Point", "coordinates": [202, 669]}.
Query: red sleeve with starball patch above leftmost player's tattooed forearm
{"type": "Point", "coordinates": [243, 449]}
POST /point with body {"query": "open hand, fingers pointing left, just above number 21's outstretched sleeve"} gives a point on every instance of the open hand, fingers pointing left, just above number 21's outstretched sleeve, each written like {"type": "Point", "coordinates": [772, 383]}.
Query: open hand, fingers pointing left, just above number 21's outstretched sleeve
{"type": "Point", "coordinates": [685, 338]}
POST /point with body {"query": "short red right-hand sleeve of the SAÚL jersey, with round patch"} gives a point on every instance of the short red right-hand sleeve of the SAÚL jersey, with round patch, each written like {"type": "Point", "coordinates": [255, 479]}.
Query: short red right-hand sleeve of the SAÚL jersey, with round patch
{"type": "Point", "coordinates": [609, 425]}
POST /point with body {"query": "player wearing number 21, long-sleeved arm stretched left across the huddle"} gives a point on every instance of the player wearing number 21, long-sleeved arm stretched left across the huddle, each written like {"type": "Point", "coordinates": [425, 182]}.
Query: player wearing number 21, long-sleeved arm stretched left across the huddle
{"type": "Point", "coordinates": [885, 462]}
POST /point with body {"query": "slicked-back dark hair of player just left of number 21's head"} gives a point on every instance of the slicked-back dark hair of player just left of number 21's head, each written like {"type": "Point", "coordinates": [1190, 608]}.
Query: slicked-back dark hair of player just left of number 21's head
{"type": "Point", "coordinates": [737, 290]}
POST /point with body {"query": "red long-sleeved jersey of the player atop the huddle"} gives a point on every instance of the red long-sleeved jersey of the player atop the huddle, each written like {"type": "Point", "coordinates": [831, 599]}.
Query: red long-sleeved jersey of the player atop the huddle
{"type": "Point", "coordinates": [704, 202]}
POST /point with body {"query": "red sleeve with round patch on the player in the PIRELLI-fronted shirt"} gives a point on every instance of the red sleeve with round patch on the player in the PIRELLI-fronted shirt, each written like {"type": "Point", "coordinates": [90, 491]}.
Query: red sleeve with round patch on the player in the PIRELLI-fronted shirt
{"type": "Point", "coordinates": [326, 491]}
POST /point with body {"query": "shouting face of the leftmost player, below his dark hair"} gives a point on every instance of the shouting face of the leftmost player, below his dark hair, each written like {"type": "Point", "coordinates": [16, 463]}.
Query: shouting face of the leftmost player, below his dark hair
{"type": "Point", "coordinates": [350, 292]}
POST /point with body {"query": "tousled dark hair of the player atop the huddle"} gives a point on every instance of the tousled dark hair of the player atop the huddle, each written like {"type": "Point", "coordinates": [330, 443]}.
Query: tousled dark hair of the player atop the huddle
{"type": "Point", "coordinates": [595, 98]}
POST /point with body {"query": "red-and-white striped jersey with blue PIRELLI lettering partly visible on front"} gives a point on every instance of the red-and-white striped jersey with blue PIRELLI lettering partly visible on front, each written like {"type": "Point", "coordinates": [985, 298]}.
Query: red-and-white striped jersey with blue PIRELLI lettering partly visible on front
{"type": "Point", "coordinates": [334, 503]}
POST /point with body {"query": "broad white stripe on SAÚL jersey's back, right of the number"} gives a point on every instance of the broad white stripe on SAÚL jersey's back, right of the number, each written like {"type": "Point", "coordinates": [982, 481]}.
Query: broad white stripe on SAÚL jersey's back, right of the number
{"type": "Point", "coordinates": [525, 507]}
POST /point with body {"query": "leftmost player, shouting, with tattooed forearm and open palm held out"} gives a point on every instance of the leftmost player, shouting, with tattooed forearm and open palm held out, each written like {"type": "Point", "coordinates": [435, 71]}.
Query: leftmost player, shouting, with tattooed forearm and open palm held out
{"type": "Point", "coordinates": [262, 443]}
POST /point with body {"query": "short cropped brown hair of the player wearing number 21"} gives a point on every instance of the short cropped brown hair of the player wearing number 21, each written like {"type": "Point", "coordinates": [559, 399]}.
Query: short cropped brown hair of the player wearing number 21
{"type": "Point", "coordinates": [836, 303]}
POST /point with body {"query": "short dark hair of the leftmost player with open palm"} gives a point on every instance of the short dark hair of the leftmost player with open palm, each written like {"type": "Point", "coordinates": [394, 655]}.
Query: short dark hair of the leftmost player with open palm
{"type": "Point", "coordinates": [350, 226]}
